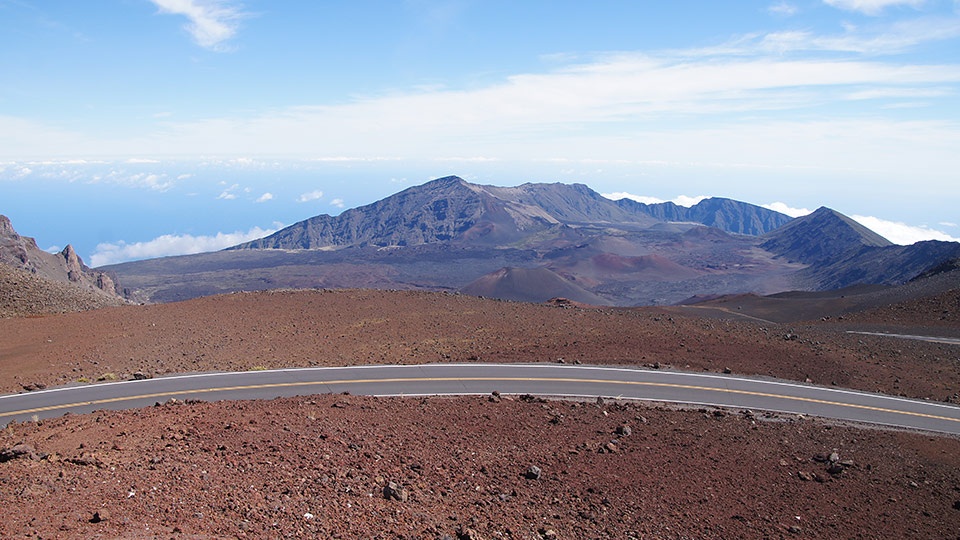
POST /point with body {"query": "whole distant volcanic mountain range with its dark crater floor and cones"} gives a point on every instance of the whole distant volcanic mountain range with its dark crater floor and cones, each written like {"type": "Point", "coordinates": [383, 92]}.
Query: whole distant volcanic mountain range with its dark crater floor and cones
{"type": "Point", "coordinates": [562, 240]}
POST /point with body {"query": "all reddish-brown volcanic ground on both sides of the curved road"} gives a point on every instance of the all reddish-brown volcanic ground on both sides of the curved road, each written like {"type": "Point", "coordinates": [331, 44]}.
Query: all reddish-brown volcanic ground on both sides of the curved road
{"type": "Point", "coordinates": [322, 466]}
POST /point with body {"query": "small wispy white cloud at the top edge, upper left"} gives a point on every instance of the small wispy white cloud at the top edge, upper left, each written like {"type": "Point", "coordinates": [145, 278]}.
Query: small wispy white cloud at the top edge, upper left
{"type": "Point", "coordinates": [210, 22]}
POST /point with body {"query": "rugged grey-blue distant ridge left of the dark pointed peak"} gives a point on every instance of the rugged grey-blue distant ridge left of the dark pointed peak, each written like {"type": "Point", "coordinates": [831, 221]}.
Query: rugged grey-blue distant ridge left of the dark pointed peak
{"type": "Point", "coordinates": [450, 209]}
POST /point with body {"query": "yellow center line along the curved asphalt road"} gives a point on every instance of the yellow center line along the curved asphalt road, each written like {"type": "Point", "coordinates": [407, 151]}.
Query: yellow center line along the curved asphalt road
{"type": "Point", "coordinates": [174, 393]}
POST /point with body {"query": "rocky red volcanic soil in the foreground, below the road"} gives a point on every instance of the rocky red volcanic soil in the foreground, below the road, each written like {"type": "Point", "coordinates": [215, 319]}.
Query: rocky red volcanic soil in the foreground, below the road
{"type": "Point", "coordinates": [322, 467]}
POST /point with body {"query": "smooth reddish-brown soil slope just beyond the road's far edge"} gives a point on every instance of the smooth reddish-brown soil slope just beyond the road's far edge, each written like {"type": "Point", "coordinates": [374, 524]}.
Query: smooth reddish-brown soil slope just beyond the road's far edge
{"type": "Point", "coordinates": [350, 327]}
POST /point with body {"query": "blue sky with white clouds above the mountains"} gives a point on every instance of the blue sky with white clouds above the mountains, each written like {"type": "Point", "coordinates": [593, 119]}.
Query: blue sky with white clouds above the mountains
{"type": "Point", "coordinates": [144, 128]}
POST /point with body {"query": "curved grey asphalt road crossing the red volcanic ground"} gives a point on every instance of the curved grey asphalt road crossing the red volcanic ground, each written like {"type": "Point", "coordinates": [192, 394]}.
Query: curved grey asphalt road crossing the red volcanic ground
{"type": "Point", "coordinates": [480, 379]}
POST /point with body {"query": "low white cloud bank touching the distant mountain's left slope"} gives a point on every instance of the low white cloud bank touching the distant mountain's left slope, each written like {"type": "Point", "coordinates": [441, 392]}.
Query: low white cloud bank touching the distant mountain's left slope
{"type": "Point", "coordinates": [172, 244]}
